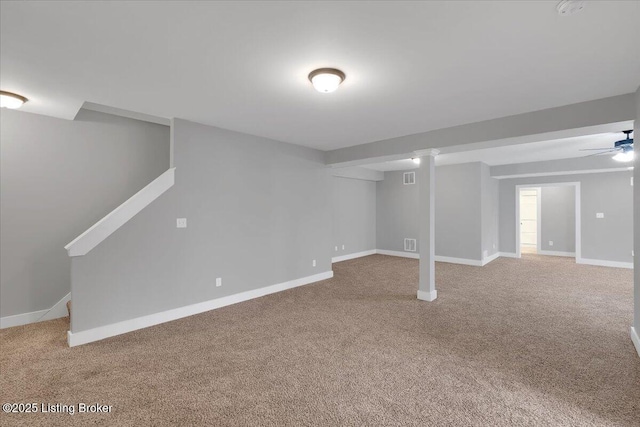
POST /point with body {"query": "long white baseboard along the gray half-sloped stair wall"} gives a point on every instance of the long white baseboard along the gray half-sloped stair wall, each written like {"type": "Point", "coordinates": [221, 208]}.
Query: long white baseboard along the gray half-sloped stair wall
{"type": "Point", "coordinates": [102, 332]}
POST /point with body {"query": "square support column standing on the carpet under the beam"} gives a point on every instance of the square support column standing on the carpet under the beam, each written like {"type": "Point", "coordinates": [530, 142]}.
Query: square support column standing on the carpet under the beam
{"type": "Point", "coordinates": [426, 180]}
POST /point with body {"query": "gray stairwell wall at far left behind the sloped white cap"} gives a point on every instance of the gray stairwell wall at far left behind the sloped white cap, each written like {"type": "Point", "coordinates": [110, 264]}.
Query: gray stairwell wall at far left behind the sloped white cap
{"type": "Point", "coordinates": [58, 177]}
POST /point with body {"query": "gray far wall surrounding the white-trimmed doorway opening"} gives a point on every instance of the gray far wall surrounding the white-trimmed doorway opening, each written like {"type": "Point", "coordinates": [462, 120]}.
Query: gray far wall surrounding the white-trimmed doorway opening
{"type": "Point", "coordinates": [602, 239]}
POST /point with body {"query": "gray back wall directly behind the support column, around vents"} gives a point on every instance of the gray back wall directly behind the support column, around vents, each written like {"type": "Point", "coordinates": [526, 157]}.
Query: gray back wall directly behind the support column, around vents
{"type": "Point", "coordinates": [466, 211]}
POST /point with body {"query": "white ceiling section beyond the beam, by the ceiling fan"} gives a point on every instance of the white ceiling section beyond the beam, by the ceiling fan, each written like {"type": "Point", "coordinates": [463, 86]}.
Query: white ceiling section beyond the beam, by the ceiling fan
{"type": "Point", "coordinates": [520, 153]}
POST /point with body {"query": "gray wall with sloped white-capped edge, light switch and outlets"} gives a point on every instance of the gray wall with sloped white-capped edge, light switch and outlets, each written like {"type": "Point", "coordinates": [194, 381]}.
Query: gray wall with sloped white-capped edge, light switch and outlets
{"type": "Point", "coordinates": [258, 212]}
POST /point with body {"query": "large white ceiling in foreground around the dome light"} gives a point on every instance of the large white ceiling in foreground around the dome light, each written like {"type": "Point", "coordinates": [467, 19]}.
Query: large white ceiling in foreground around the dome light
{"type": "Point", "coordinates": [411, 66]}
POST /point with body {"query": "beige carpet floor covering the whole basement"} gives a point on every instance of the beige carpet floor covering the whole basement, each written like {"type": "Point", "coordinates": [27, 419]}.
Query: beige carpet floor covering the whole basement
{"type": "Point", "coordinates": [539, 341]}
